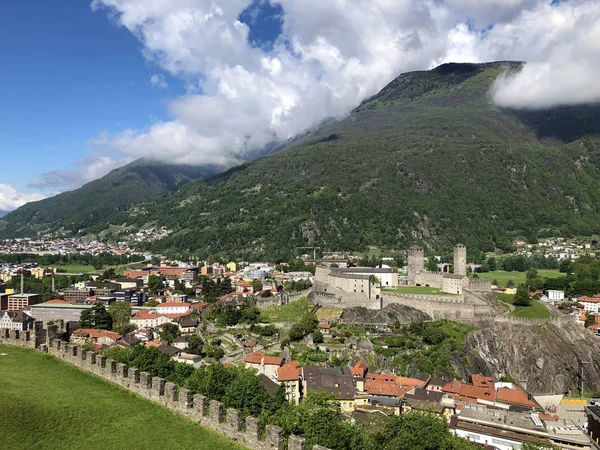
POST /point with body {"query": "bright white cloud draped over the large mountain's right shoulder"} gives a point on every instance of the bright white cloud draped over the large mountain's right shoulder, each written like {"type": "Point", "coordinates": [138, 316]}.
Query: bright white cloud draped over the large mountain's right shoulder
{"type": "Point", "coordinates": [566, 67]}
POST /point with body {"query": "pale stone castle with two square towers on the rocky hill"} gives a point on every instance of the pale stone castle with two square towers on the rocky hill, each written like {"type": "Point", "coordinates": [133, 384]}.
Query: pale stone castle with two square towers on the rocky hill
{"type": "Point", "coordinates": [460, 297]}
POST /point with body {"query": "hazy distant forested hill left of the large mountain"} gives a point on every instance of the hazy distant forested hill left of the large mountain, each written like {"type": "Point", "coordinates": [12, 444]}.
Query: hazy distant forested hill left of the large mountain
{"type": "Point", "coordinates": [137, 182]}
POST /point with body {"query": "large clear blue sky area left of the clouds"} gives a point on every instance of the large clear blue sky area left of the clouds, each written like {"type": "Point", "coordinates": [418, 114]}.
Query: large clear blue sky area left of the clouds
{"type": "Point", "coordinates": [66, 74]}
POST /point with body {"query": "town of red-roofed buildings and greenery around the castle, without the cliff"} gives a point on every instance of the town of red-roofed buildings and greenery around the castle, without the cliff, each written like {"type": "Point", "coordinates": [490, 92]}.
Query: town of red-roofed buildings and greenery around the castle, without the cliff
{"type": "Point", "coordinates": [290, 323]}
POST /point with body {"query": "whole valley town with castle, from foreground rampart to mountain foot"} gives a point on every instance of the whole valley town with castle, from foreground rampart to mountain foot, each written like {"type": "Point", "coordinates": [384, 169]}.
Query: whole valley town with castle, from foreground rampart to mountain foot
{"type": "Point", "coordinates": [380, 333]}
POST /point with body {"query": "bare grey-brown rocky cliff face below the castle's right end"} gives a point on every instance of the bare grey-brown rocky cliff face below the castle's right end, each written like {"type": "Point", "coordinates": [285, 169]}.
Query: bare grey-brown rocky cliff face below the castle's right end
{"type": "Point", "coordinates": [544, 358]}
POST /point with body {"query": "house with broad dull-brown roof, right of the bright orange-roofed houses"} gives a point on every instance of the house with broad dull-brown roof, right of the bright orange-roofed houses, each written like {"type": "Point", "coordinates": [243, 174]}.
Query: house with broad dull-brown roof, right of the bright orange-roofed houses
{"type": "Point", "coordinates": [337, 381]}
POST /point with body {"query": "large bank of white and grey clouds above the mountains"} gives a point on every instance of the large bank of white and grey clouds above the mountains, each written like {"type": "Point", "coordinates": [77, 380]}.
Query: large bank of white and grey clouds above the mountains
{"type": "Point", "coordinates": [334, 54]}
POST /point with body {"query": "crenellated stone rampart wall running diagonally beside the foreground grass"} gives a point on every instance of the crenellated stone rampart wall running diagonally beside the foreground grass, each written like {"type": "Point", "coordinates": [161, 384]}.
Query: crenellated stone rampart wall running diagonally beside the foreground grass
{"type": "Point", "coordinates": [208, 413]}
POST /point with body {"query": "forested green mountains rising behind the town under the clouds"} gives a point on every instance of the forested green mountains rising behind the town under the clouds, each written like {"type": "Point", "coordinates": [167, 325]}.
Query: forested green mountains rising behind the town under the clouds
{"type": "Point", "coordinates": [430, 159]}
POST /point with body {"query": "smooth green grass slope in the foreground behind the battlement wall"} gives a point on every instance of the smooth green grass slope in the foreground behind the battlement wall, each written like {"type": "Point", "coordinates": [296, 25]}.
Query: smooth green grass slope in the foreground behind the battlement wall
{"type": "Point", "coordinates": [46, 403]}
